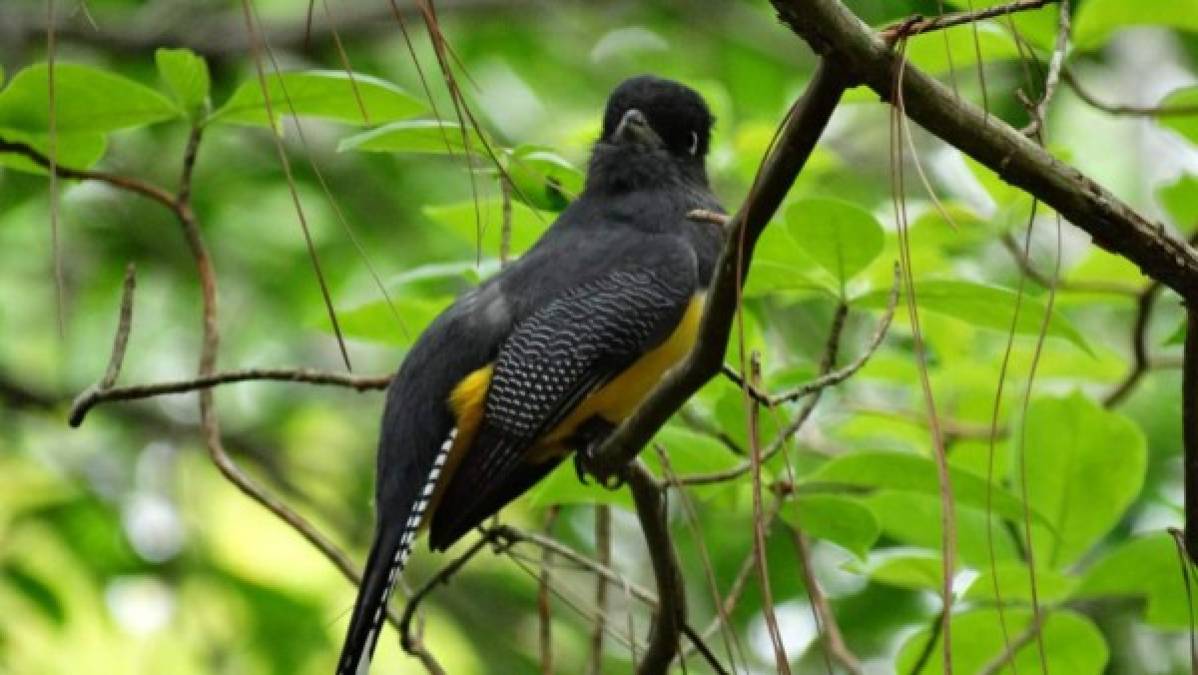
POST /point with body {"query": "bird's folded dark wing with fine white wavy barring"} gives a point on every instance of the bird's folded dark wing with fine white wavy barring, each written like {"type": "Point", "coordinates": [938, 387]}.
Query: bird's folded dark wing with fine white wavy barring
{"type": "Point", "coordinates": [547, 367]}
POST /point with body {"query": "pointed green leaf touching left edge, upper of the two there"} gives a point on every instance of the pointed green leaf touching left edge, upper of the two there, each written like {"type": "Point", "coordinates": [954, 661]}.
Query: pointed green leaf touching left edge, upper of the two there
{"type": "Point", "coordinates": [87, 100]}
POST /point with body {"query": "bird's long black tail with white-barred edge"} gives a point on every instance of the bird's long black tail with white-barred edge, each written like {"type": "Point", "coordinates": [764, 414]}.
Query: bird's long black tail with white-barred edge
{"type": "Point", "coordinates": [389, 555]}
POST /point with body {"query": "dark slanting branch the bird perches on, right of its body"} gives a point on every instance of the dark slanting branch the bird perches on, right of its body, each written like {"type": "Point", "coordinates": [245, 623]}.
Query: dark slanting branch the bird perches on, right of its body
{"type": "Point", "coordinates": [782, 167]}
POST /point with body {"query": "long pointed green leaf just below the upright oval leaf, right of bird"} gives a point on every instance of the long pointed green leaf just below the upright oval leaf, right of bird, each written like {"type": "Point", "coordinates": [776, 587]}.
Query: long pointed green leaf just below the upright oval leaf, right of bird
{"type": "Point", "coordinates": [984, 306]}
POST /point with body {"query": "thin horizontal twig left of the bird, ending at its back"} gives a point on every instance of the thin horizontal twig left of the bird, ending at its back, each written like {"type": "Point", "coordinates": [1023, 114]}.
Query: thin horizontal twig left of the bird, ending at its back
{"type": "Point", "coordinates": [92, 397]}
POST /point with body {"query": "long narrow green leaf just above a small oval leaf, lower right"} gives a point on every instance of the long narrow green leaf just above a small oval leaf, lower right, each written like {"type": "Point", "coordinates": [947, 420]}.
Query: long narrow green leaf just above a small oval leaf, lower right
{"type": "Point", "coordinates": [911, 473]}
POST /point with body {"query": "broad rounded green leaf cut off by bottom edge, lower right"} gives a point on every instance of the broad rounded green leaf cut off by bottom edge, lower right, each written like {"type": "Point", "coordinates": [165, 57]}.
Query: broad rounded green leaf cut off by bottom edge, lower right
{"type": "Point", "coordinates": [1073, 644]}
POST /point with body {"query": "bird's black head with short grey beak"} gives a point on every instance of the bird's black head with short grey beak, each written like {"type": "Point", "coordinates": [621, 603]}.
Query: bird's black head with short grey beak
{"type": "Point", "coordinates": [655, 131]}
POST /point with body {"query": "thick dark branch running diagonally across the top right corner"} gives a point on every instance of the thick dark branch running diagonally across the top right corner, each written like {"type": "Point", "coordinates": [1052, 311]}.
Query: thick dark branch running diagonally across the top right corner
{"type": "Point", "coordinates": [837, 34]}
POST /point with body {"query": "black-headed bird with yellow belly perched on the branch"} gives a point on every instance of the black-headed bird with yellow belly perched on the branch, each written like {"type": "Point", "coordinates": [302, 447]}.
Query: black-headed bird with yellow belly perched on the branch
{"type": "Point", "coordinates": [550, 354]}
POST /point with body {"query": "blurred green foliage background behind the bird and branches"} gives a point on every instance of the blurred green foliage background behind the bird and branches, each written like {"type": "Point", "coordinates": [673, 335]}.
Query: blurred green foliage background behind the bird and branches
{"type": "Point", "coordinates": [124, 551]}
